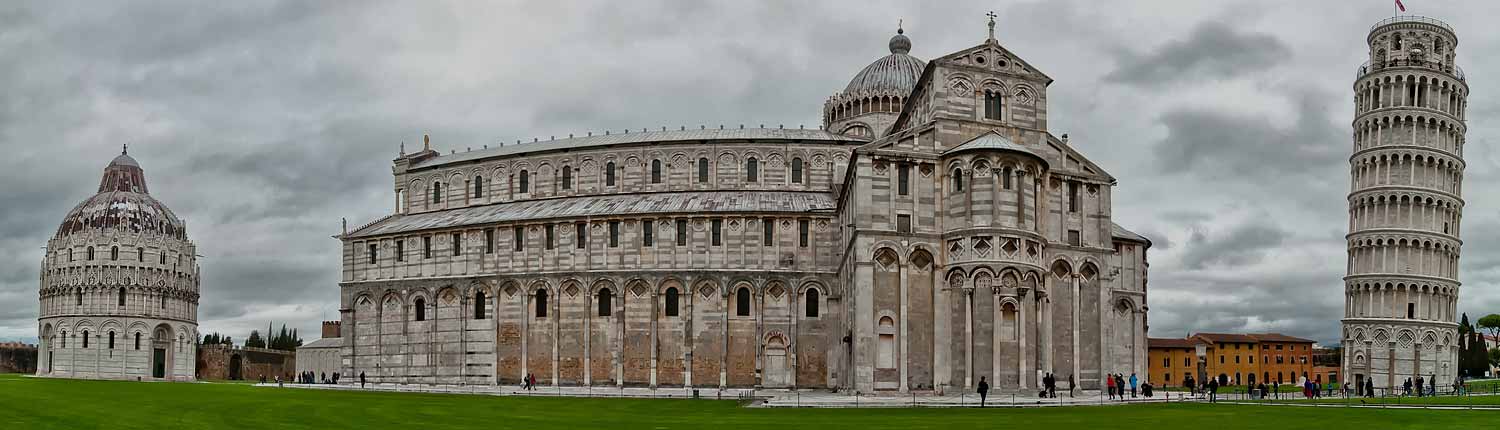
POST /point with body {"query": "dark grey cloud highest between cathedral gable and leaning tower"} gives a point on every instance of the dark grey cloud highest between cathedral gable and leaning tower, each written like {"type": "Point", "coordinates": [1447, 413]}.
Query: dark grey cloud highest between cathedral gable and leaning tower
{"type": "Point", "coordinates": [1214, 50]}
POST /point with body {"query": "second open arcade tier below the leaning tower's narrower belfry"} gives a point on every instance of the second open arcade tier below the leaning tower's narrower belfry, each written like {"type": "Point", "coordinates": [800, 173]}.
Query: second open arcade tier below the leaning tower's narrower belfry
{"type": "Point", "coordinates": [1414, 131]}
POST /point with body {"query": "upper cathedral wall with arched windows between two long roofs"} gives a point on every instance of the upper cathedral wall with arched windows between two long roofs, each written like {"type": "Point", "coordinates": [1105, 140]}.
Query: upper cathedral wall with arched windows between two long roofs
{"type": "Point", "coordinates": [523, 181]}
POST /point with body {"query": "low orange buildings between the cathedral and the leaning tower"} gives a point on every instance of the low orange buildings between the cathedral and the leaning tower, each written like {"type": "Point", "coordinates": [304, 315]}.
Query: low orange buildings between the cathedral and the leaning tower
{"type": "Point", "coordinates": [1232, 359]}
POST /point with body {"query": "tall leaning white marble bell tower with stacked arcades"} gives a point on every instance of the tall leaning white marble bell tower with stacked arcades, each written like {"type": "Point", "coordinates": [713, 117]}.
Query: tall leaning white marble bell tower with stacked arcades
{"type": "Point", "coordinates": [1405, 206]}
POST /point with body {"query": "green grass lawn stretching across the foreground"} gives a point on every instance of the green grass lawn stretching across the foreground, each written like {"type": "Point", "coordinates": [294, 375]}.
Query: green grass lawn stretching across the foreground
{"type": "Point", "coordinates": [61, 404]}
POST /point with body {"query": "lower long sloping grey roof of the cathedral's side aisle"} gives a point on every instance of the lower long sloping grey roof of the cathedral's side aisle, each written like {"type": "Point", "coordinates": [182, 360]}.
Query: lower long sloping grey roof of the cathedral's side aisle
{"type": "Point", "coordinates": [679, 203]}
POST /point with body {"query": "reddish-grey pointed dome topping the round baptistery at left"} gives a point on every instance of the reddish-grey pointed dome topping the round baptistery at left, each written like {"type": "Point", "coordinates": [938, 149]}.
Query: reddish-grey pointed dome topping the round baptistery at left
{"type": "Point", "coordinates": [122, 203]}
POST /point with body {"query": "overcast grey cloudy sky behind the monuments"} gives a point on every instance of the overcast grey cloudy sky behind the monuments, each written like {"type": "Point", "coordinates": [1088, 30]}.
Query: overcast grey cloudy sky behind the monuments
{"type": "Point", "coordinates": [265, 124]}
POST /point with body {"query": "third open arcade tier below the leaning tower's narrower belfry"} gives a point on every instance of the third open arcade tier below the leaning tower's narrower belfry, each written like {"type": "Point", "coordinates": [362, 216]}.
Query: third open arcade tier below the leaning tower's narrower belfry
{"type": "Point", "coordinates": [1408, 170]}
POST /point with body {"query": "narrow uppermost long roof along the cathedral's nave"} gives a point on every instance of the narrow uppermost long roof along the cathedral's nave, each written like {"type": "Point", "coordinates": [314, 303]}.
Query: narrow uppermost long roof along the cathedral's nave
{"type": "Point", "coordinates": [637, 139]}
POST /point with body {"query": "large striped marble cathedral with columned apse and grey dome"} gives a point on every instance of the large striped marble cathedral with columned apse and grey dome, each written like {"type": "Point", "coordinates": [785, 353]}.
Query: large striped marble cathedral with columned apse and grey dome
{"type": "Point", "coordinates": [932, 233]}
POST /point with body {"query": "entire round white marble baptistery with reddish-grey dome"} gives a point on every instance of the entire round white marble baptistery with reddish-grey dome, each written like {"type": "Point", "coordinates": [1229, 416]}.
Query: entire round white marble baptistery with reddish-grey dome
{"type": "Point", "coordinates": [119, 296]}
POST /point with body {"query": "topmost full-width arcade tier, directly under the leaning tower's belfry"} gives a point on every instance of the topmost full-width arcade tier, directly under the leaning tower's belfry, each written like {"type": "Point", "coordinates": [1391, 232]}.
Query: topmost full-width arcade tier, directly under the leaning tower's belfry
{"type": "Point", "coordinates": [1414, 92]}
